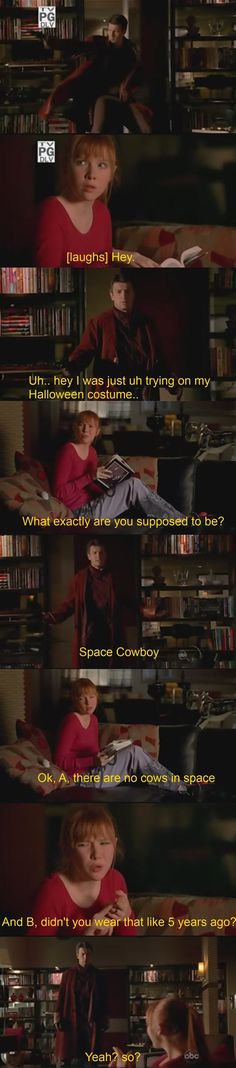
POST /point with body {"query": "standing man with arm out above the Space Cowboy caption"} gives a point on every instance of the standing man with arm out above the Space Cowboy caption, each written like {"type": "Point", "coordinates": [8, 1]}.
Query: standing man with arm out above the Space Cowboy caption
{"type": "Point", "coordinates": [91, 599]}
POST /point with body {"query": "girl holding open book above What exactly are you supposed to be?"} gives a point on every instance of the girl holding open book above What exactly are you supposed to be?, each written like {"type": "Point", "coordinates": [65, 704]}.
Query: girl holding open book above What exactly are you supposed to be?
{"type": "Point", "coordinates": [77, 476]}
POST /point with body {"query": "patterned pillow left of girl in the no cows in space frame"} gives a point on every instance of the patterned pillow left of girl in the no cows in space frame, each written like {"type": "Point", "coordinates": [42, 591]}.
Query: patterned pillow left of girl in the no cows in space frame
{"type": "Point", "coordinates": [24, 762]}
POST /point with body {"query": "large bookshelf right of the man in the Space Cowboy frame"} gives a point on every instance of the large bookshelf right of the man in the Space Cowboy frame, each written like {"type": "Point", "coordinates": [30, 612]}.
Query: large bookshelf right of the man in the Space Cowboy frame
{"type": "Point", "coordinates": [188, 599]}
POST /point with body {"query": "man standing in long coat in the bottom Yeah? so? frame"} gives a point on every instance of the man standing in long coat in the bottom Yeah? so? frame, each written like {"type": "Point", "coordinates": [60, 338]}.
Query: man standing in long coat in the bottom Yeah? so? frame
{"type": "Point", "coordinates": [80, 1010]}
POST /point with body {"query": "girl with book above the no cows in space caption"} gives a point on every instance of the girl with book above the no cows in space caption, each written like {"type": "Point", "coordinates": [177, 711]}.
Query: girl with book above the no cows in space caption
{"type": "Point", "coordinates": [77, 751]}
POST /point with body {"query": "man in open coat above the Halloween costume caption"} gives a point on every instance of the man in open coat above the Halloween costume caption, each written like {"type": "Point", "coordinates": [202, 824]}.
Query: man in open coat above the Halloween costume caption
{"type": "Point", "coordinates": [122, 340]}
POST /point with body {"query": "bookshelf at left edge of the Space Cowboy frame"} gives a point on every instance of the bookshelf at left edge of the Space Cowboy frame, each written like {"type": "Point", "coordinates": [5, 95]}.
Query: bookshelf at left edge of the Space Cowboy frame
{"type": "Point", "coordinates": [23, 586]}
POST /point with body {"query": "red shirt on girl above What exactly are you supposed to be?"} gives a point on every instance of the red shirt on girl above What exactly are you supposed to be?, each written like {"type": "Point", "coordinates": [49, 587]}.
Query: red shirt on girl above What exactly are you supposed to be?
{"type": "Point", "coordinates": [74, 478]}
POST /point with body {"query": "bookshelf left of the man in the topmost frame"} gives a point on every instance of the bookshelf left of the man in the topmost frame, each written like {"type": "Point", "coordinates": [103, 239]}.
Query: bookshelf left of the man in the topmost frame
{"type": "Point", "coordinates": [29, 72]}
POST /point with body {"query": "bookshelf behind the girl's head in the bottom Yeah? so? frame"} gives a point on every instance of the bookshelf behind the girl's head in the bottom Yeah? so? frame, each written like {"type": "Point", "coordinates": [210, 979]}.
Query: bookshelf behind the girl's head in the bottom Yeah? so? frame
{"type": "Point", "coordinates": [151, 984]}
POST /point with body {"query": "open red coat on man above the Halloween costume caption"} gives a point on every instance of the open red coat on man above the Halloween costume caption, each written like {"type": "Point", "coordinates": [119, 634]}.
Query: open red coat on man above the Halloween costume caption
{"type": "Point", "coordinates": [100, 340]}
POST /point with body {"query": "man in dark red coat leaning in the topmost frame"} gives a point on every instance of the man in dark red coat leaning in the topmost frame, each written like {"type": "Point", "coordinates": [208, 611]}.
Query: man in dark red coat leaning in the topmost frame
{"type": "Point", "coordinates": [103, 83]}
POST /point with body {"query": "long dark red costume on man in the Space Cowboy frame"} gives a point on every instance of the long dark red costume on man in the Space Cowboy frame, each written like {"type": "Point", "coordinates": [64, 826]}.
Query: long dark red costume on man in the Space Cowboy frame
{"type": "Point", "coordinates": [88, 586]}
